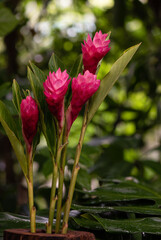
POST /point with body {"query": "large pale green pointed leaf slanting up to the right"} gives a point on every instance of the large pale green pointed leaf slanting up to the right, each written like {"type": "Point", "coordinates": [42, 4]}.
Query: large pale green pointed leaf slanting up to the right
{"type": "Point", "coordinates": [109, 80]}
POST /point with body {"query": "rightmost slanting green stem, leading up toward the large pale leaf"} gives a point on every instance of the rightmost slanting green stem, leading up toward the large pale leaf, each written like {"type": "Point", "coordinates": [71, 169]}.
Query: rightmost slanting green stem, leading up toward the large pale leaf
{"type": "Point", "coordinates": [74, 172]}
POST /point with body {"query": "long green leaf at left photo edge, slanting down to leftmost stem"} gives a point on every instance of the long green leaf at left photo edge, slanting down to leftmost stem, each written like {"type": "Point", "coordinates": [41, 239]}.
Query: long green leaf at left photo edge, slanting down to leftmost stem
{"type": "Point", "coordinates": [10, 129]}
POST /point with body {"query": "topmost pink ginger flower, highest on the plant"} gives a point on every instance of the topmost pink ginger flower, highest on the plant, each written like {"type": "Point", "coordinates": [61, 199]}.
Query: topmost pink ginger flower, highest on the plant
{"type": "Point", "coordinates": [94, 51]}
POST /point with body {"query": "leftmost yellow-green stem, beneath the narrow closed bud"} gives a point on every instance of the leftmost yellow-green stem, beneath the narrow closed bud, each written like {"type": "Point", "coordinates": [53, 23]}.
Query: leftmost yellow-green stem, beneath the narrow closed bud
{"type": "Point", "coordinates": [32, 209]}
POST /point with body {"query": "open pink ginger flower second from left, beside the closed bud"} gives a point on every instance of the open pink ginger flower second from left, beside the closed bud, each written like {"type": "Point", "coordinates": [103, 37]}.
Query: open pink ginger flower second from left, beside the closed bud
{"type": "Point", "coordinates": [55, 87]}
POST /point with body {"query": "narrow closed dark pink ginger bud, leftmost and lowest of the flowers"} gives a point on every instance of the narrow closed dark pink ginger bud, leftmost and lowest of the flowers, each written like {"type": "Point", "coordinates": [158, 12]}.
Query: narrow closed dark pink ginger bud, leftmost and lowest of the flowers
{"type": "Point", "coordinates": [29, 116]}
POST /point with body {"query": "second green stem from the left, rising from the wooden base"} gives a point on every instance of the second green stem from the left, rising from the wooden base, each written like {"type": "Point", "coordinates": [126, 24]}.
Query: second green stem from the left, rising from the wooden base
{"type": "Point", "coordinates": [53, 198]}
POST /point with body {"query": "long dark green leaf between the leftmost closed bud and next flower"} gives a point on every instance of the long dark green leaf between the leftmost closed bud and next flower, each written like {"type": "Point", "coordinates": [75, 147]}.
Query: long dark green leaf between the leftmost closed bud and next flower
{"type": "Point", "coordinates": [36, 78]}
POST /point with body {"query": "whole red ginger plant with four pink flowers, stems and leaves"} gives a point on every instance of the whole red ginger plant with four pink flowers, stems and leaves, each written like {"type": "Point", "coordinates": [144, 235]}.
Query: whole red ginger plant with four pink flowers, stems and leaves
{"type": "Point", "coordinates": [57, 104]}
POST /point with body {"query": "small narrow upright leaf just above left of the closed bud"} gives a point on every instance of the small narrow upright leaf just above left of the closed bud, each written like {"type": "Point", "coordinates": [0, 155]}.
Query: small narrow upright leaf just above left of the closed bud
{"type": "Point", "coordinates": [16, 95]}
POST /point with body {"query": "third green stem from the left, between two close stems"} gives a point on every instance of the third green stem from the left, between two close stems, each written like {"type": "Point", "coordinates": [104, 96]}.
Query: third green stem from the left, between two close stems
{"type": "Point", "coordinates": [61, 181]}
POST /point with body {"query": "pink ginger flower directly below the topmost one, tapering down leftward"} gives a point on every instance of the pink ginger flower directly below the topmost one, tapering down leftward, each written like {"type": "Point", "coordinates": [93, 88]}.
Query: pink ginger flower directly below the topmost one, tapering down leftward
{"type": "Point", "coordinates": [83, 87]}
